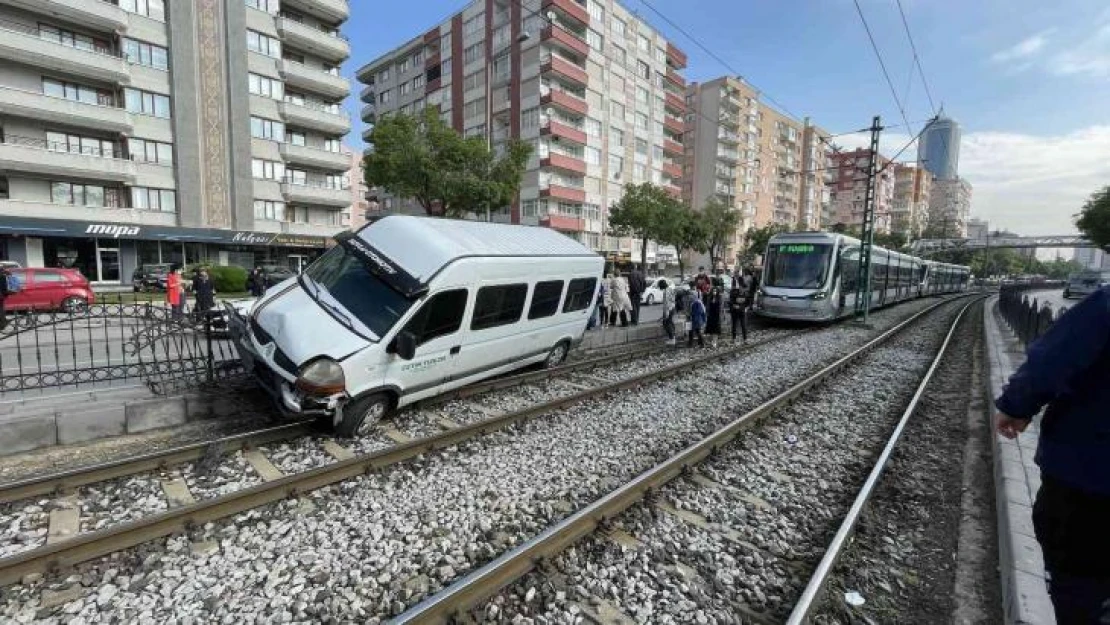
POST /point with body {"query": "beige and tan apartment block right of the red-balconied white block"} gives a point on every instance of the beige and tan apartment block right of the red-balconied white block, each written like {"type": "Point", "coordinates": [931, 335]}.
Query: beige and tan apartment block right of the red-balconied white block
{"type": "Point", "coordinates": [764, 164]}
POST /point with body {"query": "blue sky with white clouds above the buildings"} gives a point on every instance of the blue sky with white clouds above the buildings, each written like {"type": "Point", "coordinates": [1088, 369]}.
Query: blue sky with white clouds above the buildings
{"type": "Point", "coordinates": [1030, 82]}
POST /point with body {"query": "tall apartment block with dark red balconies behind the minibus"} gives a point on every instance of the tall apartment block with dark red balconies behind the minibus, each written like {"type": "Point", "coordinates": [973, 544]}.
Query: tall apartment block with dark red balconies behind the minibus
{"type": "Point", "coordinates": [597, 90]}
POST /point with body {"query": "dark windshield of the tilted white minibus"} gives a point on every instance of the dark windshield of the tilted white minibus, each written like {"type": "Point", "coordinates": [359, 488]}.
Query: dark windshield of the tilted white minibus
{"type": "Point", "coordinates": [364, 295]}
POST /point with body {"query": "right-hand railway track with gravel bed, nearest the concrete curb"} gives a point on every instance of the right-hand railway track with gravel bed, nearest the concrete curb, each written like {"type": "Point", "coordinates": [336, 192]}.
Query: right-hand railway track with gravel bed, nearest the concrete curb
{"type": "Point", "coordinates": [482, 594]}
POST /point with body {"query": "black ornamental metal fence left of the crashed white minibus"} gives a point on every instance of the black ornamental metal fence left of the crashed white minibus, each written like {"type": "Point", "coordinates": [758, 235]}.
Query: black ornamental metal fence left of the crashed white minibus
{"type": "Point", "coordinates": [110, 342]}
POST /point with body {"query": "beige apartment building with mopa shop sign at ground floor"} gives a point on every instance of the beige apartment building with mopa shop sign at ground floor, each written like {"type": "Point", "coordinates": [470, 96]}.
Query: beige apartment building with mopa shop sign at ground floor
{"type": "Point", "coordinates": [145, 132]}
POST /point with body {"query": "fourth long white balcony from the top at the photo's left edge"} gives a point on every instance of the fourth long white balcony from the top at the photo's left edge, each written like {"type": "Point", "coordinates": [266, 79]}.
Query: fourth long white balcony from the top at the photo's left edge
{"type": "Point", "coordinates": [36, 156]}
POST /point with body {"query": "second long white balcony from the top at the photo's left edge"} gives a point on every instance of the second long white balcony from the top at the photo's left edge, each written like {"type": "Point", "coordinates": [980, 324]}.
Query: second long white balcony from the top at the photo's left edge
{"type": "Point", "coordinates": [23, 45]}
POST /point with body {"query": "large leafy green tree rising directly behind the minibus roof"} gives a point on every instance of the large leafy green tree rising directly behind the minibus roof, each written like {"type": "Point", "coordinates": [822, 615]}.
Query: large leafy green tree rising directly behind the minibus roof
{"type": "Point", "coordinates": [423, 158]}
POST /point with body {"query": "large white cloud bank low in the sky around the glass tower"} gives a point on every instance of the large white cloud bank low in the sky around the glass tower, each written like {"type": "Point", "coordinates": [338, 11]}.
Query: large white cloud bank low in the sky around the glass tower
{"type": "Point", "coordinates": [1026, 184]}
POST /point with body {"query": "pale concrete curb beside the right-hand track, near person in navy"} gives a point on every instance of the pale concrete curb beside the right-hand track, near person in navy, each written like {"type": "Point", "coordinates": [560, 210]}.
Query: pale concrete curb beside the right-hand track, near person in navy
{"type": "Point", "coordinates": [1017, 479]}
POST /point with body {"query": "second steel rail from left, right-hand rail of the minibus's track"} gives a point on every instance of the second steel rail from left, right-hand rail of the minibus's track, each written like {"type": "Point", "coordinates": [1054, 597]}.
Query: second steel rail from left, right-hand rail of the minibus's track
{"type": "Point", "coordinates": [92, 546]}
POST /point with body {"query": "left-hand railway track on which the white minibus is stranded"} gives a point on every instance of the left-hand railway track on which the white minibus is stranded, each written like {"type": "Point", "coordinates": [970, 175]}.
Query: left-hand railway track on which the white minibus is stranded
{"type": "Point", "coordinates": [185, 510]}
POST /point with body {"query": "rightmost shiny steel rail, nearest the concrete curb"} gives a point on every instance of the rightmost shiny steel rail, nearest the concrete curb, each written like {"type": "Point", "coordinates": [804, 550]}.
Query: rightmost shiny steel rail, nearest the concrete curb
{"type": "Point", "coordinates": [815, 590]}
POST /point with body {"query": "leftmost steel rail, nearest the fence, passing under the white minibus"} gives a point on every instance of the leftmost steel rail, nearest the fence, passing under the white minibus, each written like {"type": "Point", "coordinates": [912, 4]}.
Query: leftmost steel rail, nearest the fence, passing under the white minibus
{"type": "Point", "coordinates": [69, 480]}
